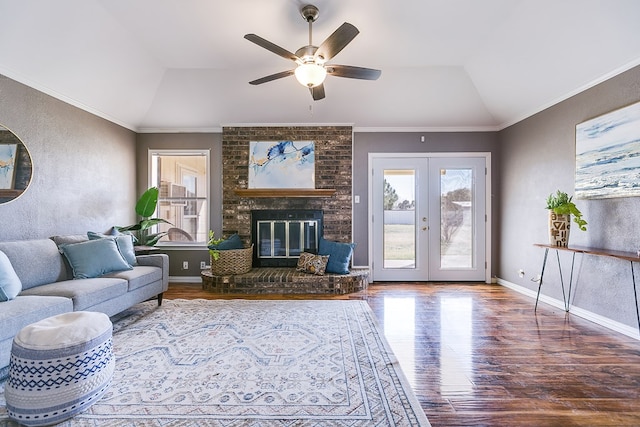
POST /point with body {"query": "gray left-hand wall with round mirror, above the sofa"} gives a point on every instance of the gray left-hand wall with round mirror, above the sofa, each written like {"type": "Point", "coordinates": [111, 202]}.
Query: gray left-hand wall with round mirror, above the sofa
{"type": "Point", "coordinates": [84, 167]}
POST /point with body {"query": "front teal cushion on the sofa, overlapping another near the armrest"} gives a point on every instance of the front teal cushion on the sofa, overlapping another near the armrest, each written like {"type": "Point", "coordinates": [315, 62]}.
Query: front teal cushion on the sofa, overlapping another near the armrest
{"type": "Point", "coordinates": [94, 258]}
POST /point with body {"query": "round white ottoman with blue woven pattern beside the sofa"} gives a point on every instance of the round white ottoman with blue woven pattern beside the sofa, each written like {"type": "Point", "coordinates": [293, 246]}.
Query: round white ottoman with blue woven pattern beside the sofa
{"type": "Point", "coordinates": [59, 367]}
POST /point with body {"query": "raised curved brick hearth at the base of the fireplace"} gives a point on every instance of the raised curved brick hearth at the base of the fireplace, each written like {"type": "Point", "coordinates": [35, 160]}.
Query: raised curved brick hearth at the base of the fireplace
{"type": "Point", "coordinates": [278, 280]}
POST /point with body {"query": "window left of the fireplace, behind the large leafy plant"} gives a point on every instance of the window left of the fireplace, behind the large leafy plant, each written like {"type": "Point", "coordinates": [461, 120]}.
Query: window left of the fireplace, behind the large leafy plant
{"type": "Point", "coordinates": [182, 178]}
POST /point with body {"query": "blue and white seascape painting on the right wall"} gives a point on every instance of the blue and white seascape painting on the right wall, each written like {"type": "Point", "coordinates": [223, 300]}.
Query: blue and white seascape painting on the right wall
{"type": "Point", "coordinates": [608, 155]}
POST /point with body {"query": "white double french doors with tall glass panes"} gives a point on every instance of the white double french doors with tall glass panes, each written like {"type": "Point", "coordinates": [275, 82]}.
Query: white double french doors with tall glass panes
{"type": "Point", "coordinates": [428, 217]}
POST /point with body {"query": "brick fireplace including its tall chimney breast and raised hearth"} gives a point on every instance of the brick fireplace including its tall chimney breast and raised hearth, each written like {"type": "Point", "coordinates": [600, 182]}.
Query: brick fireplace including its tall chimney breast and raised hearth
{"type": "Point", "coordinates": [333, 175]}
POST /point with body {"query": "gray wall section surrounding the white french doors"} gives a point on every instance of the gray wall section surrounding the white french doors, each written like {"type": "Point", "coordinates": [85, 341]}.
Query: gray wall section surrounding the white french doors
{"type": "Point", "coordinates": [409, 142]}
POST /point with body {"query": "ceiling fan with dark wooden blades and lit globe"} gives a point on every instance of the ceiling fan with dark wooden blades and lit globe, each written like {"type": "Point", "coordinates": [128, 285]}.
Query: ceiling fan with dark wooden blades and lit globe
{"type": "Point", "coordinates": [312, 60]}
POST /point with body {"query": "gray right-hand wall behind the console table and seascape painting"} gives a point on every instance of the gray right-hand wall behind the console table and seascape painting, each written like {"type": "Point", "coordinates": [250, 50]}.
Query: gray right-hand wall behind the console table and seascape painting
{"type": "Point", "coordinates": [538, 158]}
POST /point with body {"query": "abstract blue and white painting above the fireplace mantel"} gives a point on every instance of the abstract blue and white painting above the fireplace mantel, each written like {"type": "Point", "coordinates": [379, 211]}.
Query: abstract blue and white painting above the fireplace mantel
{"type": "Point", "coordinates": [281, 164]}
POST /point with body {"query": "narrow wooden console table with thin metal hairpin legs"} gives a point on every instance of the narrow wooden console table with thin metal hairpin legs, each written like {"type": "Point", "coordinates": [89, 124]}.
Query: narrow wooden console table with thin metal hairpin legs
{"type": "Point", "coordinates": [625, 256]}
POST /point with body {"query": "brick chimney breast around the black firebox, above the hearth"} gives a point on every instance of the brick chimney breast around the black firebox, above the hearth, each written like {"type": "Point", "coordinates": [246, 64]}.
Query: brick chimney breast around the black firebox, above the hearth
{"type": "Point", "coordinates": [333, 170]}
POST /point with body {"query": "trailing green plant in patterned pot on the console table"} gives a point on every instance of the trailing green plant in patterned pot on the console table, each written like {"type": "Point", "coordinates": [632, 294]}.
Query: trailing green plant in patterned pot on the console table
{"type": "Point", "coordinates": [561, 207]}
